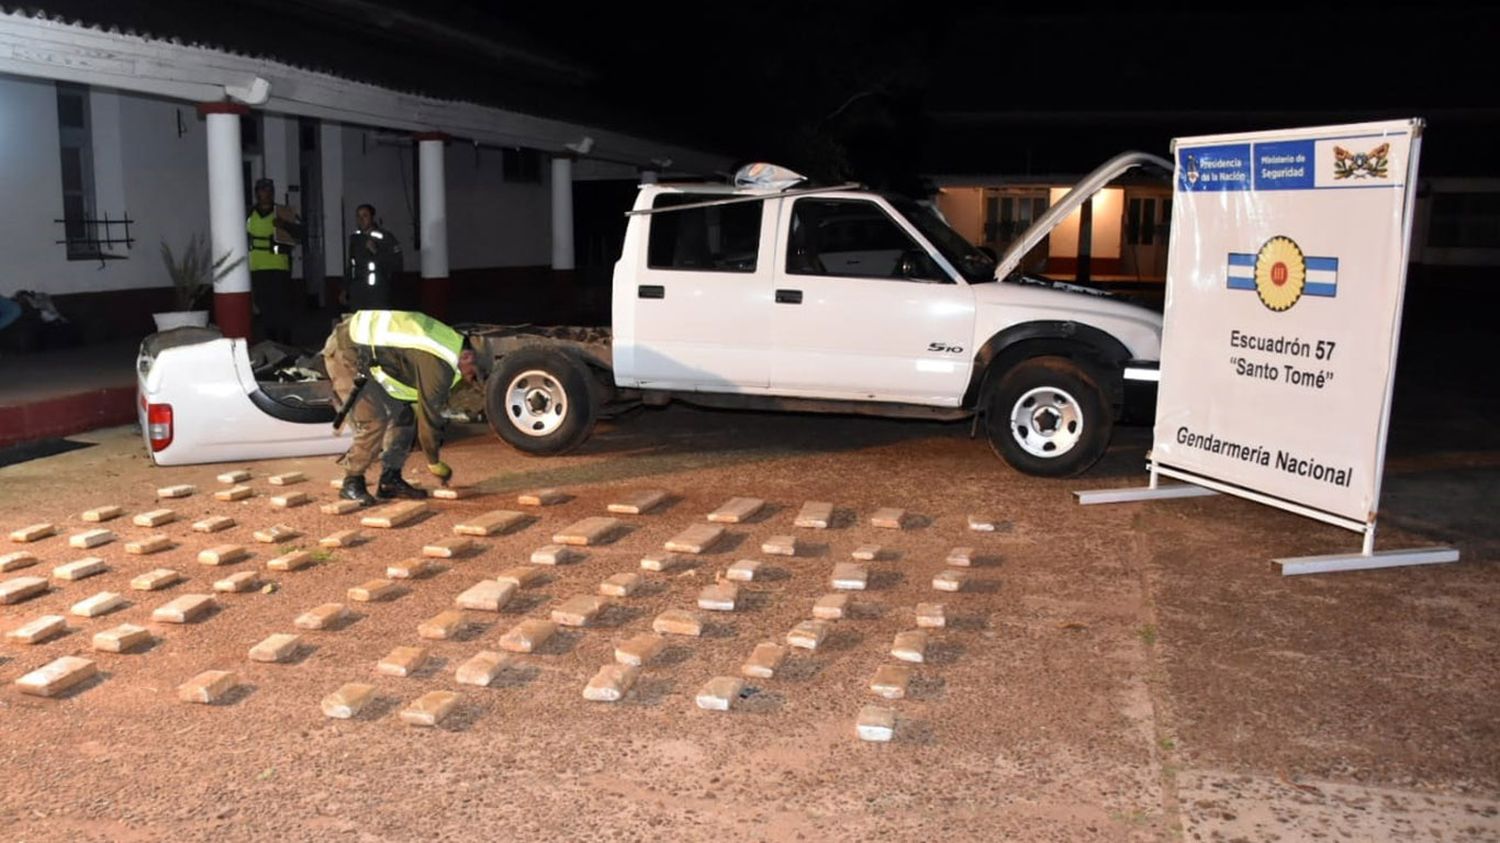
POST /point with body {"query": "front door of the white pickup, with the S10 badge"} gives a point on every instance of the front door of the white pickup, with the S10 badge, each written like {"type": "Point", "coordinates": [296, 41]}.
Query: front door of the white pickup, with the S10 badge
{"type": "Point", "coordinates": [862, 310]}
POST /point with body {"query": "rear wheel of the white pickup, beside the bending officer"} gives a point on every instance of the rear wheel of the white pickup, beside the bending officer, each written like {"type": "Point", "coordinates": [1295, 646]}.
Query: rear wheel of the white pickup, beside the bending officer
{"type": "Point", "coordinates": [539, 401]}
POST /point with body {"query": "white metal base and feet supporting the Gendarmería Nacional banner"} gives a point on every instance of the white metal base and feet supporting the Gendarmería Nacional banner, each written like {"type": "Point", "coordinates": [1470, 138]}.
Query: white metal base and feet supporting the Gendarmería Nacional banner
{"type": "Point", "coordinates": [1193, 487]}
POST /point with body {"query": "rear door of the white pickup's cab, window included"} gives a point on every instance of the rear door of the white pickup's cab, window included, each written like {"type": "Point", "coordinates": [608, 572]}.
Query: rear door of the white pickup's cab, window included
{"type": "Point", "coordinates": [701, 301]}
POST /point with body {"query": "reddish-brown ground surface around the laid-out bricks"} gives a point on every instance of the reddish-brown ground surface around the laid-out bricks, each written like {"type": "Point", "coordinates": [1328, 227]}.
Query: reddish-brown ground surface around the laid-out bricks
{"type": "Point", "coordinates": [1129, 673]}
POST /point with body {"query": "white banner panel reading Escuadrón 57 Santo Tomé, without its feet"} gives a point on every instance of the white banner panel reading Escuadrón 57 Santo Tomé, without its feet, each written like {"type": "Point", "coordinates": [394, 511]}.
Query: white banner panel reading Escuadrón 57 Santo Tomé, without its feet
{"type": "Point", "coordinates": [1285, 289]}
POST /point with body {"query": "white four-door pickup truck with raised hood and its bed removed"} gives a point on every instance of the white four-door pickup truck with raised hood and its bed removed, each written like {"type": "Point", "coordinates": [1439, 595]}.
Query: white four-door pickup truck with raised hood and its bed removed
{"type": "Point", "coordinates": [770, 296]}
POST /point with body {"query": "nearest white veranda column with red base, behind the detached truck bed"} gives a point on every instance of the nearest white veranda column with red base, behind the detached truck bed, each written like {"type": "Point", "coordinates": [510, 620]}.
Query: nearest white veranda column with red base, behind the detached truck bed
{"type": "Point", "coordinates": [227, 214]}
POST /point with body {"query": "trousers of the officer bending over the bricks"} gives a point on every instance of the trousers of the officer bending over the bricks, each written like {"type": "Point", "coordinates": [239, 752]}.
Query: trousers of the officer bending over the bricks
{"type": "Point", "coordinates": [383, 427]}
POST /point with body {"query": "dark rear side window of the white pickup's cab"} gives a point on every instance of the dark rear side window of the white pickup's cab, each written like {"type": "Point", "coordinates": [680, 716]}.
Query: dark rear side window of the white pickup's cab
{"type": "Point", "coordinates": [712, 239]}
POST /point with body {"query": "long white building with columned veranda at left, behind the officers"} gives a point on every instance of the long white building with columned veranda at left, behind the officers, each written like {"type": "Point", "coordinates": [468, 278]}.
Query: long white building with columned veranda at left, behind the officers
{"type": "Point", "coordinates": [112, 145]}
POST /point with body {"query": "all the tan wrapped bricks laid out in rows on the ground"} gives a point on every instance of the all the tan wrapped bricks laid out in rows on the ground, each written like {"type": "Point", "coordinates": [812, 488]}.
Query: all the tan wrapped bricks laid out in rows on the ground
{"type": "Point", "coordinates": [611, 683]}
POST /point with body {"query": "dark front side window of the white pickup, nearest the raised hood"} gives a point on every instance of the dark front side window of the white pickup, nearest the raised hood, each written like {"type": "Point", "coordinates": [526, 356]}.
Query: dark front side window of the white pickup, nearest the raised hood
{"type": "Point", "coordinates": [854, 239]}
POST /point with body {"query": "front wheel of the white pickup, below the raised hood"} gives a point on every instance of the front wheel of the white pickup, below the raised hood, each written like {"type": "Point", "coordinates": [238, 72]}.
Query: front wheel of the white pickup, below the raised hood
{"type": "Point", "coordinates": [1048, 418]}
